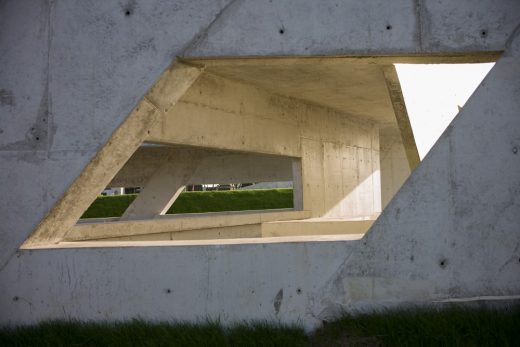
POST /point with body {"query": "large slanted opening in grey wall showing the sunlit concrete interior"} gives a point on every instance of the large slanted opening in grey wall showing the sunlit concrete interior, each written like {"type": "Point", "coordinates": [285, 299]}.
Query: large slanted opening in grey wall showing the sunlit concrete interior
{"type": "Point", "coordinates": [342, 132]}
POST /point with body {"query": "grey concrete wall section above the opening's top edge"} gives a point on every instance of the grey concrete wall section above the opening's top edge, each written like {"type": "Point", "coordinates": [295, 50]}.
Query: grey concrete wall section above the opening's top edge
{"type": "Point", "coordinates": [249, 28]}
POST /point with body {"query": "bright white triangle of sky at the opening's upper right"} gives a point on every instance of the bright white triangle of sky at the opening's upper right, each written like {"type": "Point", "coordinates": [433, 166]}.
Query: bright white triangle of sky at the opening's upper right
{"type": "Point", "coordinates": [432, 93]}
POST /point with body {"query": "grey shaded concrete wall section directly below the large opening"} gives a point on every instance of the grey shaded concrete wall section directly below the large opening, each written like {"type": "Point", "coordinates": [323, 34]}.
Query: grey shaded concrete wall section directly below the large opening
{"type": "Point", "coordinates": [231, 282]}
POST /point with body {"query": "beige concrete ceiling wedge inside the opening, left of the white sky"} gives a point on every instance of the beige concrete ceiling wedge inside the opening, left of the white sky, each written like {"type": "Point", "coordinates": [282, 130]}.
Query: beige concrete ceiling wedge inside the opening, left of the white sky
{"type": "Point", "coordinates": [357, 87]}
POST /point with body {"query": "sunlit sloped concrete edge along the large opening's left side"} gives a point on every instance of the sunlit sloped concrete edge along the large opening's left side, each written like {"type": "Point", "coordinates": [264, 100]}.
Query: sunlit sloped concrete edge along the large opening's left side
{"type": "Point", "coordinates": [109, 160]}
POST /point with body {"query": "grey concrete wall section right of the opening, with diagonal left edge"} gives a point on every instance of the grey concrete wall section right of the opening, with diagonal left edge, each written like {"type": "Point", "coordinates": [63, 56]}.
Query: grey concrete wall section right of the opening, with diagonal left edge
{"type": "Point", "coordinates": [451, 233]}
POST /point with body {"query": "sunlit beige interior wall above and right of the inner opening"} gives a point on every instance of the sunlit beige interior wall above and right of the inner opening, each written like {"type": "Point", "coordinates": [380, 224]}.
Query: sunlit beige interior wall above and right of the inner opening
{"type": "Point", "coordinates": [339, 152]}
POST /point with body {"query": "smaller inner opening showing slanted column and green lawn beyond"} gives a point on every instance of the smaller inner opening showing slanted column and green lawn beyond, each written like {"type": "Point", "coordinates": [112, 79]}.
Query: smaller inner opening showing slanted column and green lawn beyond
{"type": "Point", "coordinates": [161, 180]}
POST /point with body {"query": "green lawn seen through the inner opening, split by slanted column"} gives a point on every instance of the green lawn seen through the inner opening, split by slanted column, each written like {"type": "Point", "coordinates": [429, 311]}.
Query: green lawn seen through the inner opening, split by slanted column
{"type": "Point", "coordinates": [199, 202]}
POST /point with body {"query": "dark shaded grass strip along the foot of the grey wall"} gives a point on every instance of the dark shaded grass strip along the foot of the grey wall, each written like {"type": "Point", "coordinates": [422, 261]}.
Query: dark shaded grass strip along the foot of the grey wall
{"type": "Point", "coordinates": [452, 327]}
